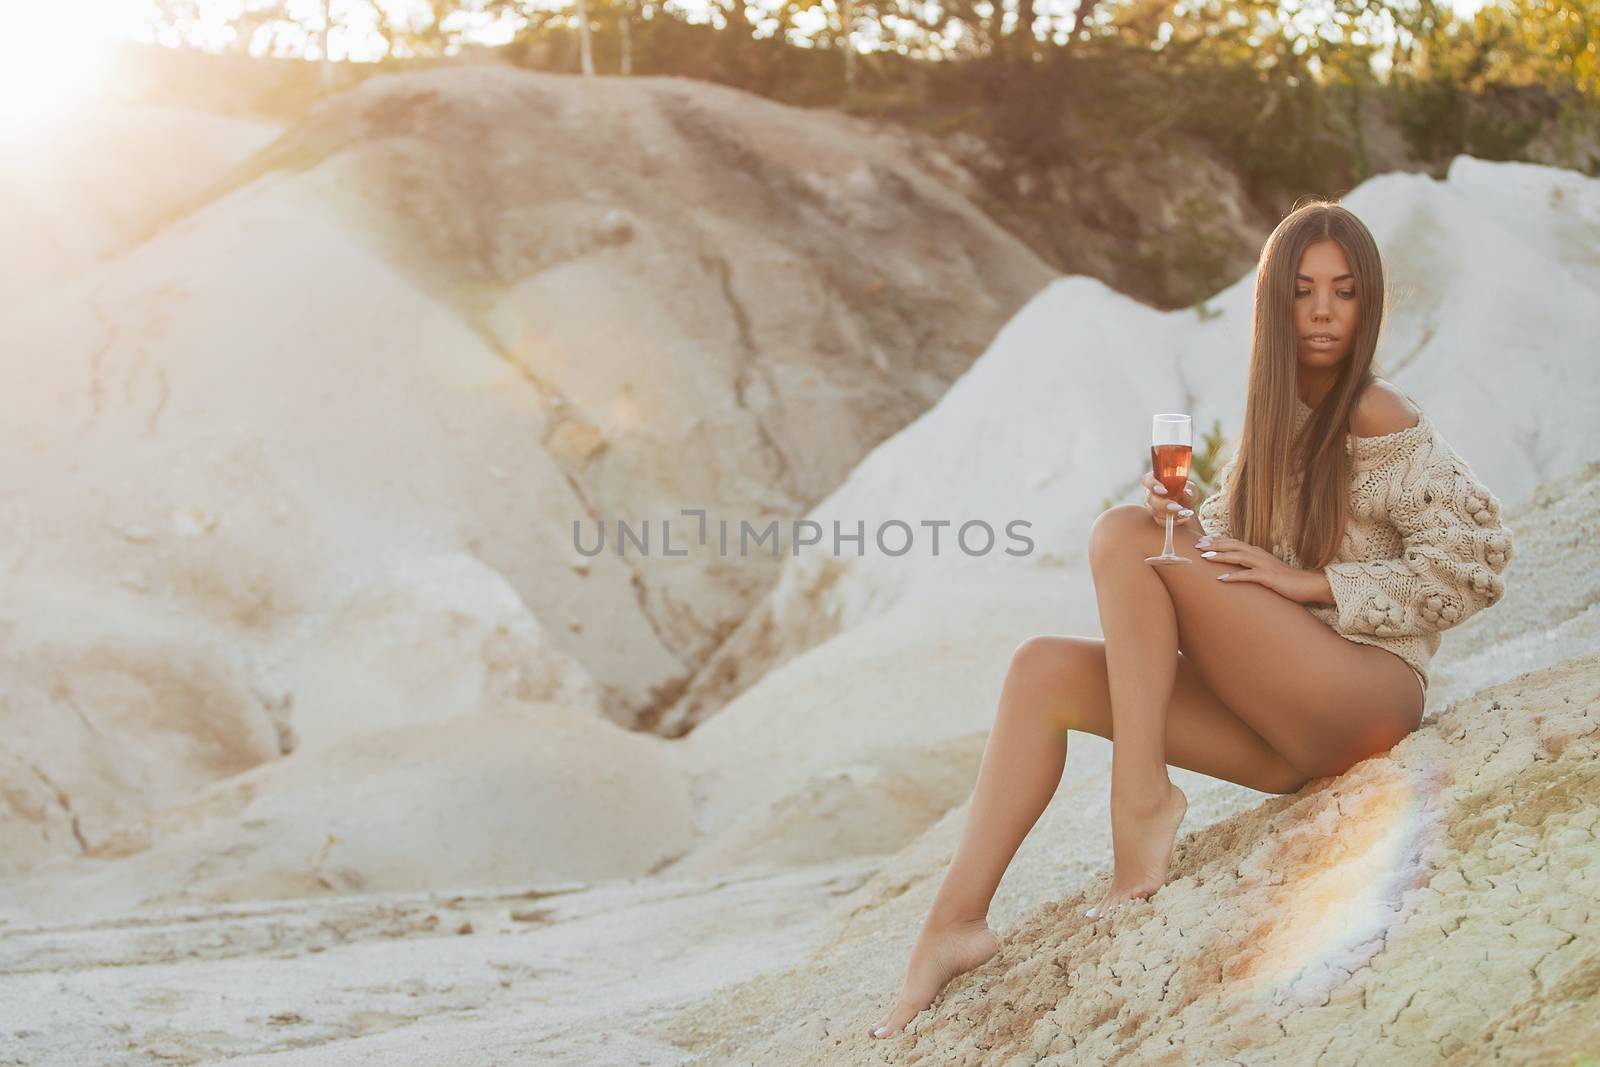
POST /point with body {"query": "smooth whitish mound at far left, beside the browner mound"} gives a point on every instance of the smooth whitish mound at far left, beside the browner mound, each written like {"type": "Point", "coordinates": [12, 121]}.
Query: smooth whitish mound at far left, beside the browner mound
{"type": "Point", "coordinates": [188, 466]}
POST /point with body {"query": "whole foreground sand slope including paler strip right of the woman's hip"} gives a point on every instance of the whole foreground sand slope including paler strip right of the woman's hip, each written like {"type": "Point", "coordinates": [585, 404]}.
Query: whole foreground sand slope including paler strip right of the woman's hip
{"type": "Point", "coordinates": [1319, 909]}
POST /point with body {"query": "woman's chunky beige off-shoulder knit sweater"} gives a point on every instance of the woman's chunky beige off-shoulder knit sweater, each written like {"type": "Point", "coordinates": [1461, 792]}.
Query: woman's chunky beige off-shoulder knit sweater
{"type": "Point", "coordinates": [1423, 546]}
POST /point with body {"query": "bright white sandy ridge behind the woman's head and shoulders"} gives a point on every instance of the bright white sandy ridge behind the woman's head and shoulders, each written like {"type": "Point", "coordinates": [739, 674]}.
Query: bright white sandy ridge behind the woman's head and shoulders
{"type": "Point", "coordinates": [1490, 274]}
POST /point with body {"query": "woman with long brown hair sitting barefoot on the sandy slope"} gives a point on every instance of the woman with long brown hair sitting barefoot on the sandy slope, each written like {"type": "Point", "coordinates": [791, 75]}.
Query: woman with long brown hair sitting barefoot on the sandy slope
{"type": "Point", "coordinates": [1265, 668]}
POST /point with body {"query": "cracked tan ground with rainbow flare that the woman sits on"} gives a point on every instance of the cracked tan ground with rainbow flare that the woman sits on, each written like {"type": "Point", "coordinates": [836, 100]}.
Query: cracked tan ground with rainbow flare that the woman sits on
{"type": "Point", "coordinates": [1436, 905]}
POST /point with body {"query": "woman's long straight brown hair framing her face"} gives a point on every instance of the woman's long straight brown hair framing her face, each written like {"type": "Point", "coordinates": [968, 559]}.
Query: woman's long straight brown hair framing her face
{"type": "Point", "coordinates": [1260, 489]}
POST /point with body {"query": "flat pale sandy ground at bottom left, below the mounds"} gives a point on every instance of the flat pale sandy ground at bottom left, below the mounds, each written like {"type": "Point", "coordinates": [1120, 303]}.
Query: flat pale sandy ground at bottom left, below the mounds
{"type": "Point", "coordinates": [550, 975]}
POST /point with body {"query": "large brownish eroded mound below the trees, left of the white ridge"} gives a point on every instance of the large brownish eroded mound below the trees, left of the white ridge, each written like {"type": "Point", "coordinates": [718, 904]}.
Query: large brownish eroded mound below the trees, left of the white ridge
{"type": "Point", "coordinates": [729, 321]}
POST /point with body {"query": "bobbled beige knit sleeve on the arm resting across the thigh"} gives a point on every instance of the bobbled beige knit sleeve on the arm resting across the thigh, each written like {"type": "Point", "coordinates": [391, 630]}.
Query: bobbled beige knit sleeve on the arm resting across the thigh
{"type": "Point", "coordinates": [1452, 562]}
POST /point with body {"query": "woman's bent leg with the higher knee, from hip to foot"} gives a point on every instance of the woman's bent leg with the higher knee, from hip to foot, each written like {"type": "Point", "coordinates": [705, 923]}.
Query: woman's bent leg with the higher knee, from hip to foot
{"type": "Point", "coordinates": [1321, 701]}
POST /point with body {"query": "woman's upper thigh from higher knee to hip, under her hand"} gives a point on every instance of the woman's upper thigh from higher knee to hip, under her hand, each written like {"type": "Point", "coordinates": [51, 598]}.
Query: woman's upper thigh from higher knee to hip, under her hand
{"type": "Point", "coordinates": [1322, 701]}
